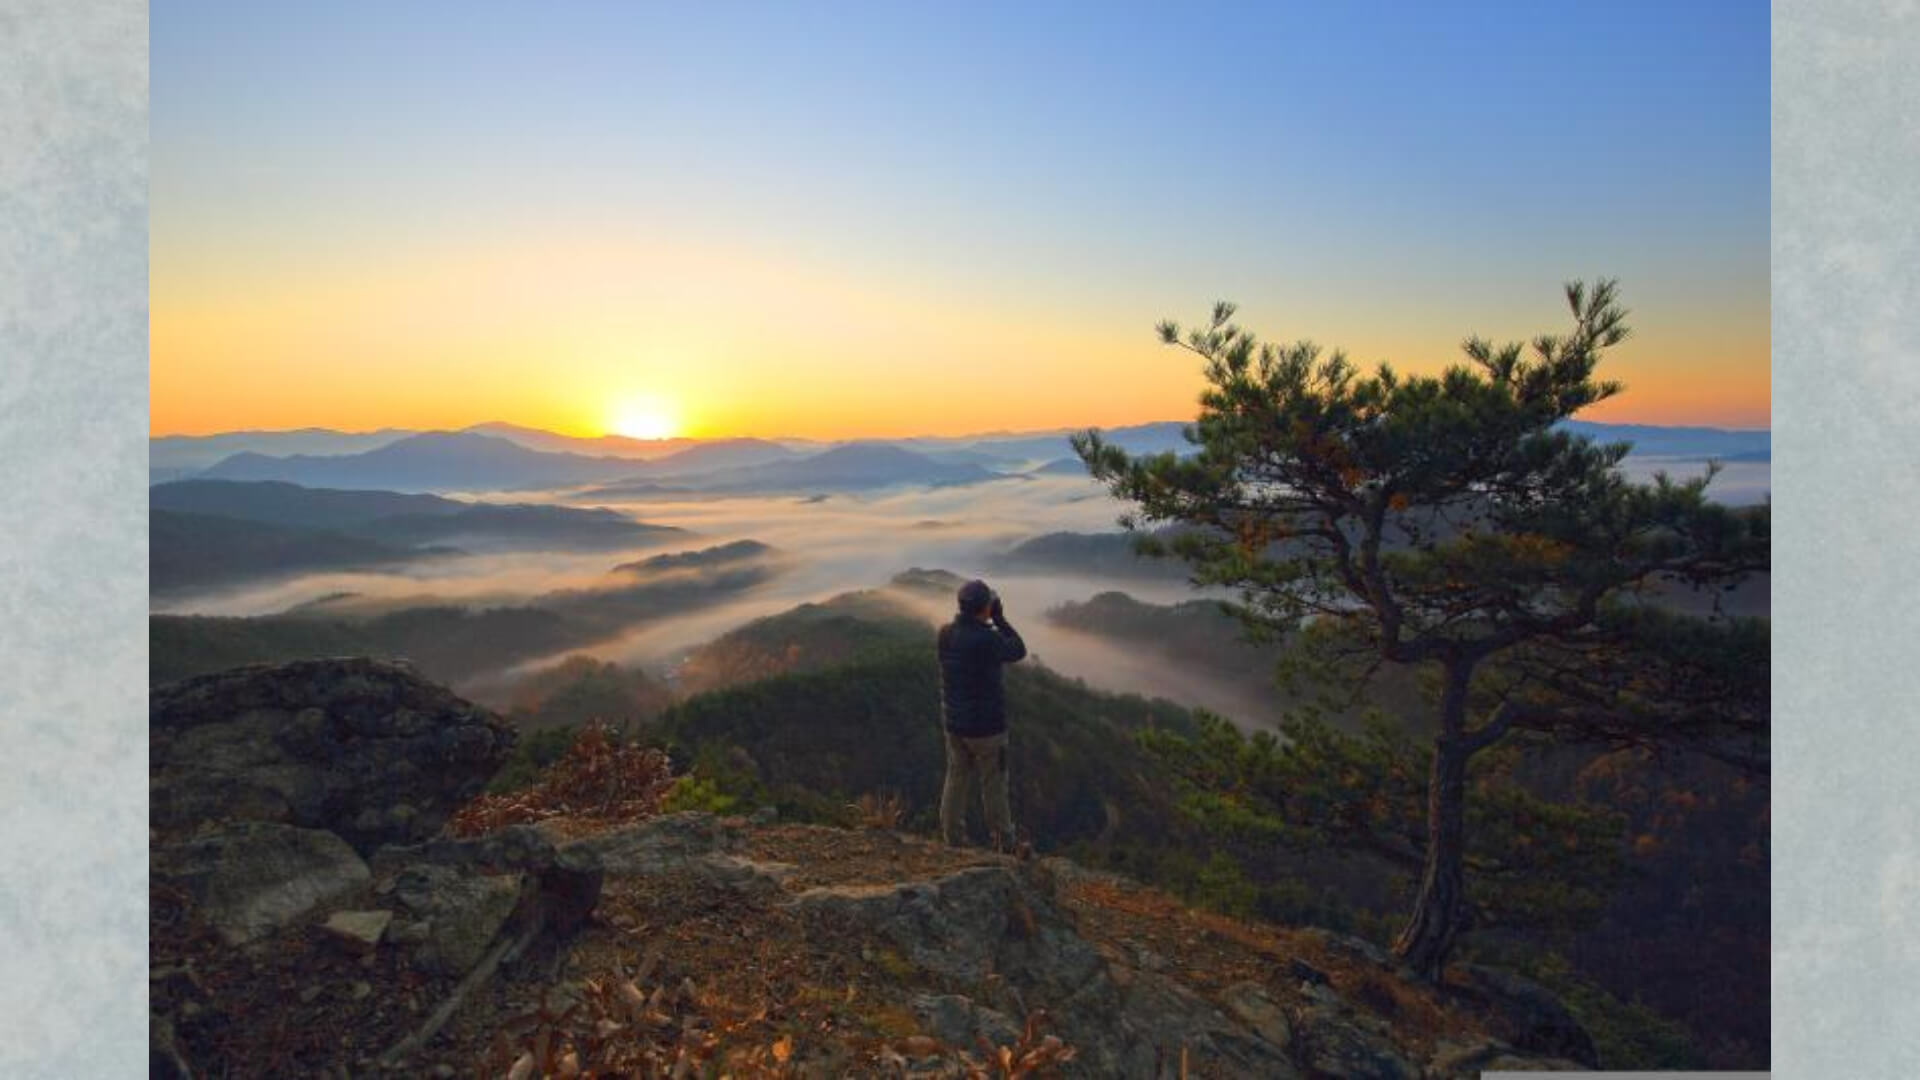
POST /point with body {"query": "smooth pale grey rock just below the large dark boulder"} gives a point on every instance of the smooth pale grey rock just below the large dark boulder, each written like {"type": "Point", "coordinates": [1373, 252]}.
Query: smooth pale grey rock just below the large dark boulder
{"type": "Point", "coordinates": [254, 877]}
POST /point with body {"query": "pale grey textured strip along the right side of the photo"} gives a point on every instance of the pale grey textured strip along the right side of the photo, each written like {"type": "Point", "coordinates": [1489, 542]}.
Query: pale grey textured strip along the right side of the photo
{"type": "Point", "coordinates": [1846, 654]}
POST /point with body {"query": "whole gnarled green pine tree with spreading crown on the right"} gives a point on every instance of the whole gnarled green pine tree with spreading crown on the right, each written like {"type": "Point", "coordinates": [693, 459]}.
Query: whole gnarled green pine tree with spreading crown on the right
{"type": "Point", "coordinates": [1452, 524]}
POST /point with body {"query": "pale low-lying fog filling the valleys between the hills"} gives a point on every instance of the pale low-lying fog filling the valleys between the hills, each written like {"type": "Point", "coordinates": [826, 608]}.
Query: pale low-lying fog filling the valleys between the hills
{"type": "Point", "coordinates": [827, 547]}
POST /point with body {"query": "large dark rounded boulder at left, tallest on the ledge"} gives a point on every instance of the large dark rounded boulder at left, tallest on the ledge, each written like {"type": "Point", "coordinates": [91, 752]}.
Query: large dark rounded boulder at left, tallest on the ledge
{"type": "Point", "coordinates": [362, 749]}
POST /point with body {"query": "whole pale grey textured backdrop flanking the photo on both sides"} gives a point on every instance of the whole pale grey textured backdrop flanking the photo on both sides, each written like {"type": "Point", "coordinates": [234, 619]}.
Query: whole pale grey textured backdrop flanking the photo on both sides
{"type": "Point", "coordinates": [74, 537]}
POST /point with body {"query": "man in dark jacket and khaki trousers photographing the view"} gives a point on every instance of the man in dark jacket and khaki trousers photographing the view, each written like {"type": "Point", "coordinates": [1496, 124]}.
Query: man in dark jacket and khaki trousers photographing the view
{"type": "Point", "coordinates": [974, 712]}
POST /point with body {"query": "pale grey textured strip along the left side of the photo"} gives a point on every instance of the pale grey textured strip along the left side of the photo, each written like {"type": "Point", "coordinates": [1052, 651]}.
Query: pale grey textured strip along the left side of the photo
{"type": "Point", "coordinates": [74, 539]}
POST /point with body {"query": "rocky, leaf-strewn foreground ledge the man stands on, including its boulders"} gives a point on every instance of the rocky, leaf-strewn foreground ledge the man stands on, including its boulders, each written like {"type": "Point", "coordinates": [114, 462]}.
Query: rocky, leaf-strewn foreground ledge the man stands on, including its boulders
{"type": "Point", "coordinates": [274, 783]}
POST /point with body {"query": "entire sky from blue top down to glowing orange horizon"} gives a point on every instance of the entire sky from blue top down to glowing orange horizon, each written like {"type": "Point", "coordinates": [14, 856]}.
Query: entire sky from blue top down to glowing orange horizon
{"type": "Point", "coordinates": [961, 232]}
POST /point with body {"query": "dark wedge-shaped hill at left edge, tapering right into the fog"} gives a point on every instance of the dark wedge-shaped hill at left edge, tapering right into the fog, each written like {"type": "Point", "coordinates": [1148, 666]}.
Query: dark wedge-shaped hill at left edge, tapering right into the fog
{"type": "Point", "coordinates": [191, 551]}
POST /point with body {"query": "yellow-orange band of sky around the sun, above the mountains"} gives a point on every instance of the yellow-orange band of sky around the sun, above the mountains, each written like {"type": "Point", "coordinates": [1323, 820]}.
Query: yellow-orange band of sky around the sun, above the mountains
{"type": "Point", "coordinates": [575, 335]}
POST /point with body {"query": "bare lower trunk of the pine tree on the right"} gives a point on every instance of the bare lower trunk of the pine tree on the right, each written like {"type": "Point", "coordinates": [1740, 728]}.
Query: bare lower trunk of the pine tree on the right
{"type": "Point", "coordinates": [1437, 914]}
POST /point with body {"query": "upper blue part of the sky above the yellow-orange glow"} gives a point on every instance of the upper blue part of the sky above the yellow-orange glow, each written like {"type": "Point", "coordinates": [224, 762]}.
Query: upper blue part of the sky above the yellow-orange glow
{"type": "Point", "coordinates": [1376, 172]}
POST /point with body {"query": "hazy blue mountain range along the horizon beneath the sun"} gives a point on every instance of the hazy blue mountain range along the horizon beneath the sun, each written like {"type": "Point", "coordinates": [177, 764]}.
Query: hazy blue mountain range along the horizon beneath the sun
{"type": "Point", "coordinates": [500, 456]}
